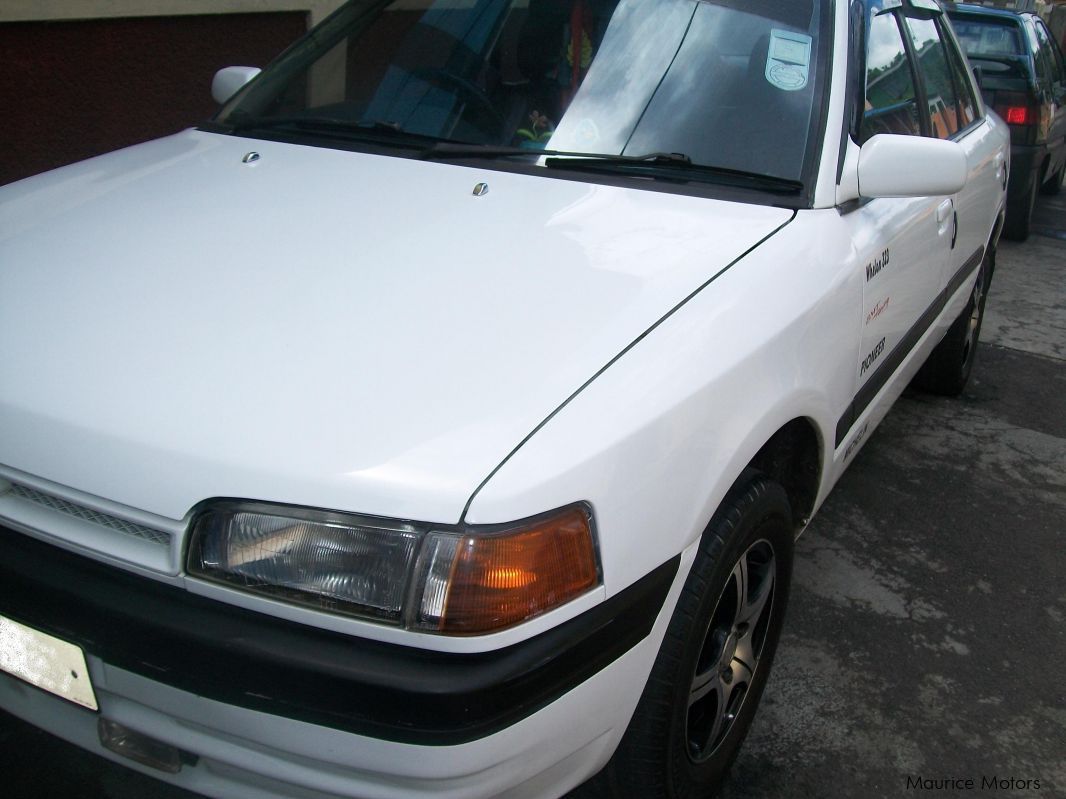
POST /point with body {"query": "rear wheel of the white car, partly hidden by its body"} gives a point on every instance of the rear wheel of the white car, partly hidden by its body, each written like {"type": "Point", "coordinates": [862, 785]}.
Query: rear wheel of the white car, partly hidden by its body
{"type": "Point", "coordinates": [947, 371]}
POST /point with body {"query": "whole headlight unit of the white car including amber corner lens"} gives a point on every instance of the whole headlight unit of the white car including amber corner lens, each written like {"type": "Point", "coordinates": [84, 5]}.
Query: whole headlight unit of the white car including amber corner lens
{"type": "Point", "coordinates": [466, 581]}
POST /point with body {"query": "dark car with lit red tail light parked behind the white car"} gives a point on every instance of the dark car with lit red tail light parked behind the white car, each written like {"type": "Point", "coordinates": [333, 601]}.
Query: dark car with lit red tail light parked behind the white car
{"type": "Point", "coordinates": [1023, 77]}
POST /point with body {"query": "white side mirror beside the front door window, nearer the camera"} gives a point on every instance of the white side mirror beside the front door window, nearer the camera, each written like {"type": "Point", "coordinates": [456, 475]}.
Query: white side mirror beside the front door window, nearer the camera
{"type": "Point", "coordinates": [911, 167]}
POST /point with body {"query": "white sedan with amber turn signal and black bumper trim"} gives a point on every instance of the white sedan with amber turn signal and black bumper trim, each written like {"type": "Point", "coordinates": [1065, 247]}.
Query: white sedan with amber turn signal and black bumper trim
{"type": "Point", "coordinates": [439, 419]}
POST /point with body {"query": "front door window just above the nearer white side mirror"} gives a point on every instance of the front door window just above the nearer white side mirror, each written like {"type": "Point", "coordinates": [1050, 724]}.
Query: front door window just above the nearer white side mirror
{"type": "Point", "coordinates": [892, 104]}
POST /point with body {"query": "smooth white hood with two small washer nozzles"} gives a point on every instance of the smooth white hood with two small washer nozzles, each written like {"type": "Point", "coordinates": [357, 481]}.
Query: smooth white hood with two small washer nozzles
{"type": "Point", "coordinates": [319, 328]}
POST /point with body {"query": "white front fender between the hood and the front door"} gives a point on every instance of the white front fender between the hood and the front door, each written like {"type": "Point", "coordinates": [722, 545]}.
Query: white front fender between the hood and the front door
{"type": "Point", "coordinates": [696, 400]}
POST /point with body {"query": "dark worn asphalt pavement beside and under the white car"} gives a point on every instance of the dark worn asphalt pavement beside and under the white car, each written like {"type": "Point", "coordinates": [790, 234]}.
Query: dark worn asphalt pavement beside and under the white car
{"type": "Point", "coordinates": [926, 641]}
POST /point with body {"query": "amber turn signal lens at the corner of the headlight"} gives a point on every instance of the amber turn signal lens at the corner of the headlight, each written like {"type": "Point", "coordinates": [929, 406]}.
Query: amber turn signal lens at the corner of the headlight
{"type": "Point", "coordinates": [500, 580]}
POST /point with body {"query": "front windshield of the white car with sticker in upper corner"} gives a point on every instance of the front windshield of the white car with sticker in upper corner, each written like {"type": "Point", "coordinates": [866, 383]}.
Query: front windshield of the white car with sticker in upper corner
{"type": "Point", "coordinates": [723, 84]}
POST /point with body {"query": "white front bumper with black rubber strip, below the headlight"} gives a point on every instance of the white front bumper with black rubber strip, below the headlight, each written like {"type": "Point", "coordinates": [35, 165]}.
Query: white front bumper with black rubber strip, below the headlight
{"type": "Point", "coordinates": [257, 699]}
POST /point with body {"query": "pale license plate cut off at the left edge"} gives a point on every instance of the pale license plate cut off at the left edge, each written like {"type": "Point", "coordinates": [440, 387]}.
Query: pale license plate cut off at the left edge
{"type": "Point", "coordinates": [49, 663]}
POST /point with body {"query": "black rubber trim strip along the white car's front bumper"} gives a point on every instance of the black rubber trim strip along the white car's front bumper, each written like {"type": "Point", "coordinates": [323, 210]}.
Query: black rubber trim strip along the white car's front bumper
{"type": "Point", "coordinates": [254, 661]}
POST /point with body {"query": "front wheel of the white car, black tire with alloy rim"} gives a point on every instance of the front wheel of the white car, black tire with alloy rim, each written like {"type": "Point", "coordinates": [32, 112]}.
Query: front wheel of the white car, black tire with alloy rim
{"type": "Point", "coordinates": [717, 656]}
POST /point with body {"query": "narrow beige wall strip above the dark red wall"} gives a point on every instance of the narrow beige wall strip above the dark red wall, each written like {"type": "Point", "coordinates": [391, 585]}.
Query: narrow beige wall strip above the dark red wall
{"type": "Point", "coordinates": [27, 11]}
